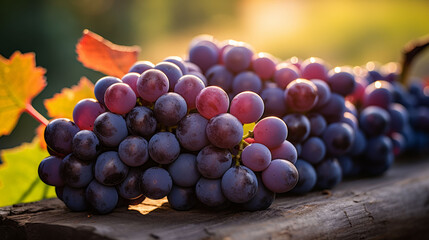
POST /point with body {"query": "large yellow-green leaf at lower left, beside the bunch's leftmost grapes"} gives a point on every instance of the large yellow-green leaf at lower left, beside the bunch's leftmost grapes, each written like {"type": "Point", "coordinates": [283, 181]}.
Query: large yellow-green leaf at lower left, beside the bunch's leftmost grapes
{"type": "Point", "coordinates": [19, 180]}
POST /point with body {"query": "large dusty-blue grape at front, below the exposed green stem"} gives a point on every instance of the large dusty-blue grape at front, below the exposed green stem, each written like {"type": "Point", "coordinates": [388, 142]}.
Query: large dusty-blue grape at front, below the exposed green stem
{"type": "Point", "coordinates": [239, 184]}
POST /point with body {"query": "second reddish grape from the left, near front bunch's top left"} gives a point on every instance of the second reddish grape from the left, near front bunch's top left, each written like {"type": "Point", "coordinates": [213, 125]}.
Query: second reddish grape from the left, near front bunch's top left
{"type": "Point", "coordinates": [120, 98]}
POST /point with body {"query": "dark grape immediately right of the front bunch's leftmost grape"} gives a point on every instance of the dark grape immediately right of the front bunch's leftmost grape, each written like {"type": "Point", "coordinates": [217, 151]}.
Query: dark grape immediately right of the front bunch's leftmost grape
{"type": "Point", "coordinates": [75, 172]}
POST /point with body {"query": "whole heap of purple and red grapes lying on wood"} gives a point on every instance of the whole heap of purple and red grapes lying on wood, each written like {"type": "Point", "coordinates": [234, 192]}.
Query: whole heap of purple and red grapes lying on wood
{"type": "Point", "coordinates": [175, 130]}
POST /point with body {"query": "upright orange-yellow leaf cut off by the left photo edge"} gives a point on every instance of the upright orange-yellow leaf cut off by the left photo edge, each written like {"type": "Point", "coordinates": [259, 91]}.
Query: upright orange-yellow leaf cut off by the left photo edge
{"type": "Point", "coordinates": [20, 82]}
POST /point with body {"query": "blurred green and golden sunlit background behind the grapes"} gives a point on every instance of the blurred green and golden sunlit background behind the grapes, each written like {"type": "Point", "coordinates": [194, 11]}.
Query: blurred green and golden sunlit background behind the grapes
{"type": "Point", "coordinates": [343, 32]}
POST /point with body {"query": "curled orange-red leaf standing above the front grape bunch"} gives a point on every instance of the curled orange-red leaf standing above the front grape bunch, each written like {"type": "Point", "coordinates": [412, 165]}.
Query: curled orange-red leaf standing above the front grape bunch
{"type": "Point", "coordinates": [99, 54]}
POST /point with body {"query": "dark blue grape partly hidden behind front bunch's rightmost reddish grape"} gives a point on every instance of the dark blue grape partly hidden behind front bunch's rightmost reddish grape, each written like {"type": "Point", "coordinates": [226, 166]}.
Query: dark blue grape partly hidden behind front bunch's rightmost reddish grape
{"type": "Point", "coordinates": [307, 177]}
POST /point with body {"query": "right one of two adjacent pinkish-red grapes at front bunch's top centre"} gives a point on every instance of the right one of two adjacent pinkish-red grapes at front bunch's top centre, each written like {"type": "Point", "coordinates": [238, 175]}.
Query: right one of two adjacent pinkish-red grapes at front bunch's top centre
{"type": "Point", "coordinates": [247, 107]}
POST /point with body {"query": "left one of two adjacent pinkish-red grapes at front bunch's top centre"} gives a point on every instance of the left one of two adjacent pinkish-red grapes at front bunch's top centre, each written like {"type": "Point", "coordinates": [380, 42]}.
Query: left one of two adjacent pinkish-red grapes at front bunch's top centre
{"type": "Point", "coordinates": [212, 101]}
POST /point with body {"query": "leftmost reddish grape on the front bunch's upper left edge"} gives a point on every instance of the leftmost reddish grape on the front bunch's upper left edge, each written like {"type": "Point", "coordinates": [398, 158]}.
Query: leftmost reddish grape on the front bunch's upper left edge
{"type": "Point", "coordinates": [86, 111]}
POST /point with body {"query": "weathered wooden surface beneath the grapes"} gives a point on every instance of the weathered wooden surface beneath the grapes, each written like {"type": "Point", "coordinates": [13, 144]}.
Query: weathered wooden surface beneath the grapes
{"type": "Point", "coordinates": [394, 206]}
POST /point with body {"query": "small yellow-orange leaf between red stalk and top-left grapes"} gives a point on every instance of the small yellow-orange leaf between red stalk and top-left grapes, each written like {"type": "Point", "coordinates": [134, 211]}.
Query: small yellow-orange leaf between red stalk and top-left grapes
{"type": "Point", "coordinates": [62, 104]}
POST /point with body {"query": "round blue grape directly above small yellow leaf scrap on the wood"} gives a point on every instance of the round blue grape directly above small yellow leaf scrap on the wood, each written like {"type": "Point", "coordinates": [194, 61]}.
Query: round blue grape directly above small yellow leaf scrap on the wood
{"type": "Point", "coordinates": [156, 183]}
